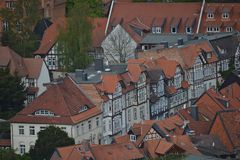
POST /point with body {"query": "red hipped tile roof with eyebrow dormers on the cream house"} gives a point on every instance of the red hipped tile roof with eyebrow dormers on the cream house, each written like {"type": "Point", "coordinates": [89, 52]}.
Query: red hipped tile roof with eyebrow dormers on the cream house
{"type": "Point", "coordinates": [66, 104]}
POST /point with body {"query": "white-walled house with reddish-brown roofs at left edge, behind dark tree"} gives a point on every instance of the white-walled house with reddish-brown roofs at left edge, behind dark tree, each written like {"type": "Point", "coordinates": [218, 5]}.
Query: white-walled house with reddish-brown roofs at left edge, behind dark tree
{"type": "Point", "coordinates": [33, 72]}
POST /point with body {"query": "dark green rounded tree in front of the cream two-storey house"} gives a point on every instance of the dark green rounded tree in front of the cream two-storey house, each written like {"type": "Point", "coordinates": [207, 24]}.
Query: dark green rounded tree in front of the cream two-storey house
{"type": "Point", "coordinates": [47, 141]}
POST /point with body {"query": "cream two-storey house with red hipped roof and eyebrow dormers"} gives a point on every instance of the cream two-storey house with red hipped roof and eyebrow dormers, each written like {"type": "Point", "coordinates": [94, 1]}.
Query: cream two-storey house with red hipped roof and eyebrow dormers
{"type": "Point", "coordinates": [70, 110]}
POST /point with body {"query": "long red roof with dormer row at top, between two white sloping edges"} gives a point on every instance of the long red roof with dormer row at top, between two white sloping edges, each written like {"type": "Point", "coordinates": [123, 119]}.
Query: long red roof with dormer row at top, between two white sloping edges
{"type": "Point", "coordinates": [145, 14]}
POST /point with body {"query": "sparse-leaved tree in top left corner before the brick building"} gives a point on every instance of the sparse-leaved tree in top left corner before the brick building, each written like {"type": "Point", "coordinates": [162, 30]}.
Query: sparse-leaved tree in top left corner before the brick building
{"type": "Point", "coordinates": [21, 20]}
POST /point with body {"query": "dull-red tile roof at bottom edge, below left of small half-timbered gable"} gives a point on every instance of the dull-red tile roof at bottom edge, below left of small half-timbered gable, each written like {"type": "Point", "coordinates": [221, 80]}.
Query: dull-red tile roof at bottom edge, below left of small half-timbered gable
{"type": "Point", "coordinates": [126, 151]}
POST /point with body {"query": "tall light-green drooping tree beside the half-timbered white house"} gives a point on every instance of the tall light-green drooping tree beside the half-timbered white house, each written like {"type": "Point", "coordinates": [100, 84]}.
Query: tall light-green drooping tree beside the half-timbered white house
{"type": "Point", "coordinates": [74, 41]}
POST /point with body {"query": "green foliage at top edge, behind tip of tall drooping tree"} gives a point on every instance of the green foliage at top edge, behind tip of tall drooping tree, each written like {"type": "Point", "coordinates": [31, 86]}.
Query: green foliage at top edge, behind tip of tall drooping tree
{"type": "Point", "coordinates": [95, 7]}
